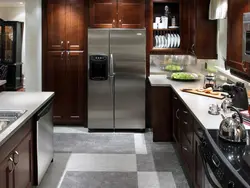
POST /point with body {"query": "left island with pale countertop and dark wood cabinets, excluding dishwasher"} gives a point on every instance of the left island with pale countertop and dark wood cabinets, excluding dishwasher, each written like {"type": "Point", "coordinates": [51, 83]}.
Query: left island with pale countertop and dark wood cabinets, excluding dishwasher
{"type": "Point", "coordinates": [18, 157]}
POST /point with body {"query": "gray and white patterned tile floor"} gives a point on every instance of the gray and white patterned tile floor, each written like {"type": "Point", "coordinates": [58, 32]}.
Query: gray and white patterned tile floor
{"type": "Point", "coordinates": [112, 160]}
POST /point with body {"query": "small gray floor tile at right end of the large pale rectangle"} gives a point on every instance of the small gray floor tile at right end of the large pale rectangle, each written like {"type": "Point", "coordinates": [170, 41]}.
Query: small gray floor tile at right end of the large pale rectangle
{"type": "Point", "coordinates": [145, 163]}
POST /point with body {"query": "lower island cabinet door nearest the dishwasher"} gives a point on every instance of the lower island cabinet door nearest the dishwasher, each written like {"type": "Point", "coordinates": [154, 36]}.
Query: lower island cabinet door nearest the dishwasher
{"type": "Point", "coordinates": [22, 157]}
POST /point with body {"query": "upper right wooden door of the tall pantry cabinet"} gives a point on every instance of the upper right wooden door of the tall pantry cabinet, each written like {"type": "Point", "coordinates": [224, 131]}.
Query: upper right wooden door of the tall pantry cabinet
{"type": "Point", "coordinates": [75, 22]}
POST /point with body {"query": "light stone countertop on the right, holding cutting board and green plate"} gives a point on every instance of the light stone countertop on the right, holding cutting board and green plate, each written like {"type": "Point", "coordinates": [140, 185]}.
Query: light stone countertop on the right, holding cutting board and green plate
{"type": "Point", "coordinates": [197, 104]}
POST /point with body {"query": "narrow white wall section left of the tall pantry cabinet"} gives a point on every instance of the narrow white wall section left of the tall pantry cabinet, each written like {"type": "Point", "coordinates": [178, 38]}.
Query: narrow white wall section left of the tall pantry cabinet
{"type": "Point", "coordinates": [33, 53]}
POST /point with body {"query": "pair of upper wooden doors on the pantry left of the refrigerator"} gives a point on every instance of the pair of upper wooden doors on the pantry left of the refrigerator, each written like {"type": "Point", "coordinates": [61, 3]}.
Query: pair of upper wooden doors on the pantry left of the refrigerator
{"type": "Point", "coordinates": [65, 25]}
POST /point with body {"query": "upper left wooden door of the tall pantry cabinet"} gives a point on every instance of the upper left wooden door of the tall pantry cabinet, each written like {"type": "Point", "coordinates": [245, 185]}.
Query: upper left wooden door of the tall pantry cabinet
{"type": "Point", "coordinates": [56, 31]}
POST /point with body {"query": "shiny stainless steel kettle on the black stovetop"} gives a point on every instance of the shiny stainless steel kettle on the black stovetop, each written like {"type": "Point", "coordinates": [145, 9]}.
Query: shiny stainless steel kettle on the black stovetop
{"type": "Point", "coordinates": [232, 129]}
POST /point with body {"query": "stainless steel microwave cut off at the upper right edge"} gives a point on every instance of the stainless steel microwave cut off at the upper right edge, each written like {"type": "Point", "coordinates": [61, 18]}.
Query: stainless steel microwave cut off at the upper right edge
{"type": "Point", "coordinates": [246, 38]}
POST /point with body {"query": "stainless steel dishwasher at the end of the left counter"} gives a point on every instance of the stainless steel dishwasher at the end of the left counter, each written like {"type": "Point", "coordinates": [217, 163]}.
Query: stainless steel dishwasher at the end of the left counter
{"type": "Point", "coordinates": [44, 141]}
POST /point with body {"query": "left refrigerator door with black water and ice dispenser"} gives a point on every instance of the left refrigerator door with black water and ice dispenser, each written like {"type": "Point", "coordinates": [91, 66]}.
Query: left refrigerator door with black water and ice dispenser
{"type": "Point", "coordinates": [100, 92]}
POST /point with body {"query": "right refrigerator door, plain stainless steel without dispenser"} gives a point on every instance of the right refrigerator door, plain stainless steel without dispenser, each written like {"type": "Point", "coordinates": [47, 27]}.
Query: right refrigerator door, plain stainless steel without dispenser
{"type": "Point", "coordinates": [128, 48]}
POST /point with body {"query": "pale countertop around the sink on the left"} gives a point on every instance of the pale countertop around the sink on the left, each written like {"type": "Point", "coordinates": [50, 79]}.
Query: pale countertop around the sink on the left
{"type": "Point", "coordinates": [30, 101]}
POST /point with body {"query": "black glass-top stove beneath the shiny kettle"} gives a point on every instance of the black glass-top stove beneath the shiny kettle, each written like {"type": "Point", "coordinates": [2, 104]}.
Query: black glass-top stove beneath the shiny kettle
{"type": "Point", "coordinates": [224, 163]}
